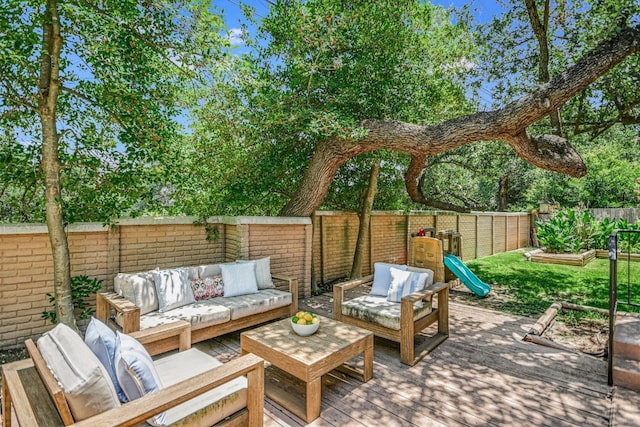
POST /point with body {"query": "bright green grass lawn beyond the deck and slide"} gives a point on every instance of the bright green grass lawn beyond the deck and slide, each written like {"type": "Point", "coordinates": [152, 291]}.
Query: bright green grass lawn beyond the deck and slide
{"type": "Point", "coordinates": [527, 288]}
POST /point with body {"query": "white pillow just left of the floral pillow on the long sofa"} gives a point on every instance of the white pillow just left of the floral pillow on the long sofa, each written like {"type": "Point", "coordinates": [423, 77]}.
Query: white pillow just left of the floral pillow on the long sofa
{"type": "Point", "coordinates": [173, 288]}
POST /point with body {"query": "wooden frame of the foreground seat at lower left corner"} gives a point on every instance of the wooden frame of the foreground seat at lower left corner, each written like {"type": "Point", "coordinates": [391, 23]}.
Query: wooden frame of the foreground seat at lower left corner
{"type": "Point", "coordinates": [33, 397]}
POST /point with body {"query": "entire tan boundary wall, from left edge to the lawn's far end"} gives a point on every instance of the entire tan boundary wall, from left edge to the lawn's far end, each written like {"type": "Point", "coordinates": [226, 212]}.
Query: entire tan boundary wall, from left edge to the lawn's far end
{"type": "Point", "coordinates": [315, 251]}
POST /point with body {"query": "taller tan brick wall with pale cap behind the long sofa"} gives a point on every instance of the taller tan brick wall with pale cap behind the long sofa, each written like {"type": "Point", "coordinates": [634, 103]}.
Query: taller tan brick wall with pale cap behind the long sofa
{"type": "Point", "coordinates": [26, 266]}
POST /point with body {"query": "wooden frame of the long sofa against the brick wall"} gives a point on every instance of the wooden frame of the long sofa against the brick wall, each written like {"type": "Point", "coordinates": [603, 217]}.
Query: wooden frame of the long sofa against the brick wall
{"type": "Point", "coordinates": [109, 303]}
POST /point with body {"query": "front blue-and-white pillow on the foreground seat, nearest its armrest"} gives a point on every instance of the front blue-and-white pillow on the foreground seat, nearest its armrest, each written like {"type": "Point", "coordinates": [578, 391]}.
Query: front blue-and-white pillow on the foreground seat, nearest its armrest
{"type": "Point", "coordinates": [136, 372]}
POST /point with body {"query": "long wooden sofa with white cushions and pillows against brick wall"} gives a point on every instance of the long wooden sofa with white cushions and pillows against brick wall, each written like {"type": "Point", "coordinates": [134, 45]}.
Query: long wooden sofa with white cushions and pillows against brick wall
{"type": "Point", "coordinates": [215, 299]}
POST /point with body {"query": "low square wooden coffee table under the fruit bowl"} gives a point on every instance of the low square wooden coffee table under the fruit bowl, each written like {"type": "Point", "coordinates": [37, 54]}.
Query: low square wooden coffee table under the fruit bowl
{"type": "Point", "coordinates": [309, 358]}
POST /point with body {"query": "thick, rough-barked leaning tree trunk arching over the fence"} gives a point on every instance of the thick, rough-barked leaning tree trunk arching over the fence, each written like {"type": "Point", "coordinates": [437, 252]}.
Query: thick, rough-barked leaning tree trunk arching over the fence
{"type": "Point", "coordinates": [508, 124]}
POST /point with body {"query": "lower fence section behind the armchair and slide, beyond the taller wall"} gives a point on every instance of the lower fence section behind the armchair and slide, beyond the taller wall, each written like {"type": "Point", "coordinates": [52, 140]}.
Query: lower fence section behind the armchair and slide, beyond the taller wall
{"type": "Point", "coordinates": [335, 235]}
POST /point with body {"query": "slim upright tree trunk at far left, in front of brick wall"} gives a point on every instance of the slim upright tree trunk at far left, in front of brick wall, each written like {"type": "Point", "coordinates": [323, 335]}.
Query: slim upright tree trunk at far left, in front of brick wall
{"type": "Point", "coordinates": [48, 88]}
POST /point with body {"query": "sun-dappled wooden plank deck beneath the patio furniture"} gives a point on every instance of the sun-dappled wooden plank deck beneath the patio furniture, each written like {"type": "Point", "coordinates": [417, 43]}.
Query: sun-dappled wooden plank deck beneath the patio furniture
{"type": "Point", "coordinates": [484, 374]}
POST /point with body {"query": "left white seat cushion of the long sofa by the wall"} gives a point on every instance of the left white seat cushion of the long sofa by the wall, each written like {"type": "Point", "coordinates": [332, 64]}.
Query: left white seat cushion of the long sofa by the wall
{"type": "Point", "coordinates": [199, 314]}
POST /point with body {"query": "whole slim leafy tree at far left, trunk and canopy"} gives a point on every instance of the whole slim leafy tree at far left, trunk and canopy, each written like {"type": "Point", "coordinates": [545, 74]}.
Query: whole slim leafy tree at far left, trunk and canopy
{"type": "Point", "coordinates": [94, 87]}
